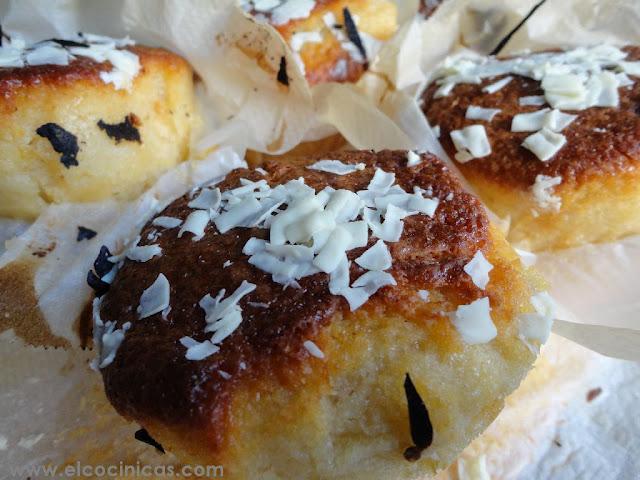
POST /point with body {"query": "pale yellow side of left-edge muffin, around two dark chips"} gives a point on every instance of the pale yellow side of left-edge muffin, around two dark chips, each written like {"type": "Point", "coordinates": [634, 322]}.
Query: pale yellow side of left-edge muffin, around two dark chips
{"type": "Point", "coordinates": [31, 172]}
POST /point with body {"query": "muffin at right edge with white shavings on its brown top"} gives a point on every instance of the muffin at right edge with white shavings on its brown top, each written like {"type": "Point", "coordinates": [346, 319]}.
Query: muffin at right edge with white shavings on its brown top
{"type": "Point", "coordinates": [549, 140]}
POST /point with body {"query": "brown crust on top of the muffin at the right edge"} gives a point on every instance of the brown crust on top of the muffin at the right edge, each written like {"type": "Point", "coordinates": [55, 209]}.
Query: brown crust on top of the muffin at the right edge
{"type": "Point", "coordinates": [601, 141]}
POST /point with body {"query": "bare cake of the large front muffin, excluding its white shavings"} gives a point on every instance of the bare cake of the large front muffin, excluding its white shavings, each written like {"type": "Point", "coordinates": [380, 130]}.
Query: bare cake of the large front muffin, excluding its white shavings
{"type": "Point", "coordinates": [282, 411]}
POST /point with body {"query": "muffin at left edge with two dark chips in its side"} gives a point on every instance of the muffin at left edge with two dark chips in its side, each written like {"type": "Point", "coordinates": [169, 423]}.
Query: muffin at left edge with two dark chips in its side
{"type": "Point", "coordinates": [88, 119]}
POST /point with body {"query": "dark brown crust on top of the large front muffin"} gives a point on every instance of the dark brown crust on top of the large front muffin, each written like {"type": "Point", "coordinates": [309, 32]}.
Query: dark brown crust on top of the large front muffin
{"type": "Point", "coordinates": [150, 376]}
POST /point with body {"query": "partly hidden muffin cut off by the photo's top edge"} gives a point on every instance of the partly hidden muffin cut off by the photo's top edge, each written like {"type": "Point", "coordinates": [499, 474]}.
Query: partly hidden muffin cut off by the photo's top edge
{"type": "Point", "coordinates": [333, 40]}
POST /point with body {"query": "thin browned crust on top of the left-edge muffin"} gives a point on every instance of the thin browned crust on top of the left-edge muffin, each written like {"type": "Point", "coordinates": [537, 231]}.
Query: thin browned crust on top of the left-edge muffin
{"type": "Point", "coordinates": [14, 80]}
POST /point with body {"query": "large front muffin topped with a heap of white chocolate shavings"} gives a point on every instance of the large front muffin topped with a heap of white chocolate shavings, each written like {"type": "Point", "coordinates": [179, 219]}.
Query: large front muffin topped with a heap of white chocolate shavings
{"type": "Point", "coordinates": [343, 317]}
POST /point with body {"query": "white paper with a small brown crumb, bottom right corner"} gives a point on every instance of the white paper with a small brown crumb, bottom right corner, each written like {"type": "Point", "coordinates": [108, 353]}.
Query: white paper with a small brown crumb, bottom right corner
{"type": "Point", "coordinates": [549, 429]}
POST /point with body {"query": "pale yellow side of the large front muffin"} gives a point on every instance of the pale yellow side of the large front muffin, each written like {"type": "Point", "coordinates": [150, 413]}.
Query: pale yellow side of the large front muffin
{"type": "Point", "coordinates": [345, 416]}
